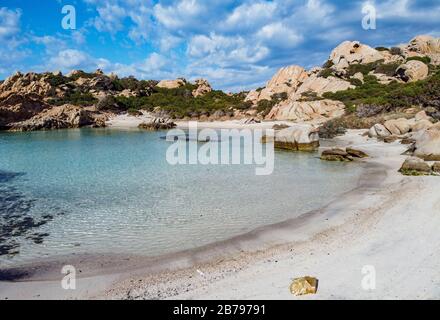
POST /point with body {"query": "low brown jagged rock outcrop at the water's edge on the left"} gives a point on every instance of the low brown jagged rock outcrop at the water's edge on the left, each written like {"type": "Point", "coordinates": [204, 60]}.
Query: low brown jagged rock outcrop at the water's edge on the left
{"type": "Point", "coordinates": [62, 117]}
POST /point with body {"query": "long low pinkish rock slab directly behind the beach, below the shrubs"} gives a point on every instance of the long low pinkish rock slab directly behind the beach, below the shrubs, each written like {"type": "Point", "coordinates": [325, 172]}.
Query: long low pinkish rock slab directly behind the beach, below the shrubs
{"type": "Point", "coordinates": [318, 111]}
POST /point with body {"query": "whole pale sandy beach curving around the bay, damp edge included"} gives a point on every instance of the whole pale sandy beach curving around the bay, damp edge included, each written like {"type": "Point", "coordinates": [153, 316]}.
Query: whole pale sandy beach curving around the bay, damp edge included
{"type": "Point", "coordinates": [388, 222]}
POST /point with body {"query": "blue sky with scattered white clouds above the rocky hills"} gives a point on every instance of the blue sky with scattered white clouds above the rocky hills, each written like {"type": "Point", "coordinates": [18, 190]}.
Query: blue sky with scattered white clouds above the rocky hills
{"type": "Point", "coordinates": [235, 44]}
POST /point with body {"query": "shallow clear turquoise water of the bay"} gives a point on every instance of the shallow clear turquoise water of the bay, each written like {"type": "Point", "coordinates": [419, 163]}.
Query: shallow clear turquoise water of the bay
{"type": "Point", "coordinates": [110, 191]}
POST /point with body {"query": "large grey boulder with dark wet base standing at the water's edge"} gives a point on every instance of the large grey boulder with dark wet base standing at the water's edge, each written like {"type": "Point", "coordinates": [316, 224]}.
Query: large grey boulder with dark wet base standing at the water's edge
{"type": "Point", "coordinates": [300, 137]}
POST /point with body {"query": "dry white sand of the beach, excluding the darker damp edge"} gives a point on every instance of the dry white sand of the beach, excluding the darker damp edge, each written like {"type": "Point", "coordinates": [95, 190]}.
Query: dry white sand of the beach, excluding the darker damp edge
{"type": "Point", "coordinates": [394, 227]}
